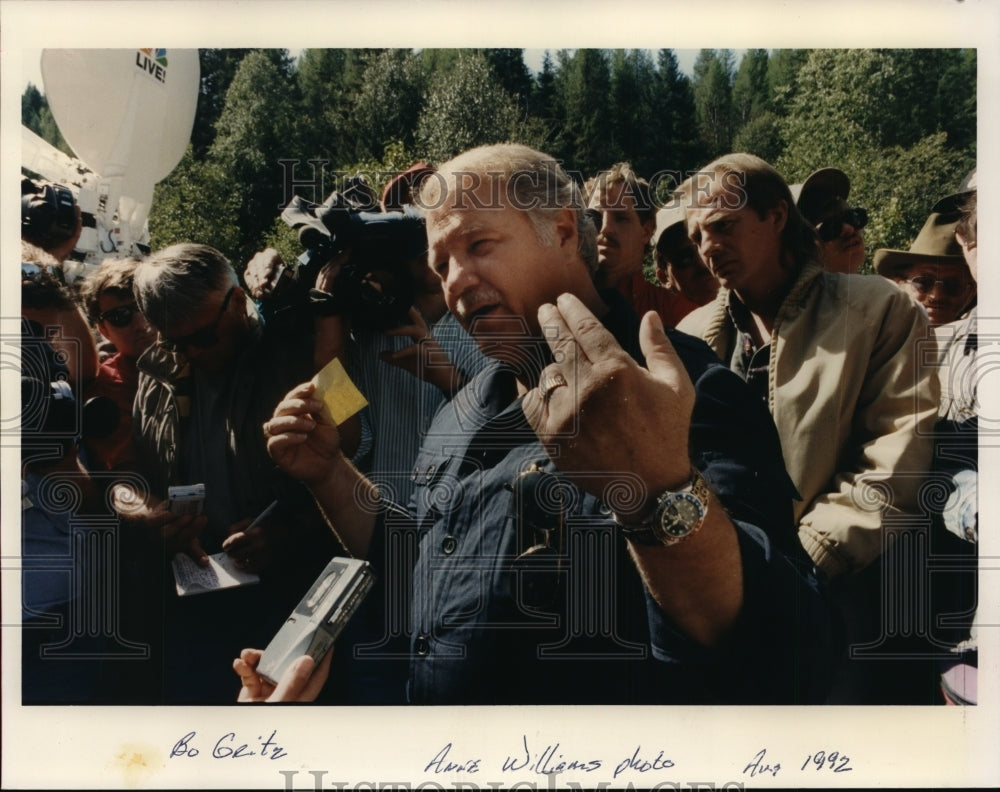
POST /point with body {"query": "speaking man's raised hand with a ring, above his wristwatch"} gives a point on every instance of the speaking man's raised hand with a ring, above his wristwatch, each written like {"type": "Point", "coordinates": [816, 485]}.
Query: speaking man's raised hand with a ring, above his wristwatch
{"type": "Point", "coordinates": [605, 417]}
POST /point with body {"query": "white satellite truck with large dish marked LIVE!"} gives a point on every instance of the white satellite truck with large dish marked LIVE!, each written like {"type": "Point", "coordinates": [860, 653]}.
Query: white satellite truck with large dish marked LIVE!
{"type": "Point", "coordinates": [127, 115]}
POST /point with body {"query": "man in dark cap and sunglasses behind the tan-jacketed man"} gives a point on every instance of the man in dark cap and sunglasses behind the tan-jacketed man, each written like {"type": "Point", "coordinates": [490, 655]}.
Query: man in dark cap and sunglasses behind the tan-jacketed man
{"type": "Point", "coordinates": [822, 200]}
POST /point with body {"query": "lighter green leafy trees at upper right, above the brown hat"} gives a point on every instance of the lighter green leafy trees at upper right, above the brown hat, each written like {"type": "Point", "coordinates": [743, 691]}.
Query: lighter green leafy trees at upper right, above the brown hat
{"type": "Point", "coordinates": [882, 117]}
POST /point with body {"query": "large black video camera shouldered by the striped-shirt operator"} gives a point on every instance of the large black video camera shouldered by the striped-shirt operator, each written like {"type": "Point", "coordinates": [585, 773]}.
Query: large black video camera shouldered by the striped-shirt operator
{"type": "Point", "coordinates": [375, 287]}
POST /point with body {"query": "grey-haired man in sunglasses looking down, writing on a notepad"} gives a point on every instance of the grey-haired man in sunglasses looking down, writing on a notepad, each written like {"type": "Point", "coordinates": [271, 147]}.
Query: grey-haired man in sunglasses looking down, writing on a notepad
{"type": "Point", "coordinates": [204, 389]}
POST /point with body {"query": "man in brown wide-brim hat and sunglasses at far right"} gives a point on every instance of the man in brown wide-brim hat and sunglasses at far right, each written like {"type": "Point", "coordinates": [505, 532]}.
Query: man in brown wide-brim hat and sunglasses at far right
{"type": "Point", "coordinates": [933, 271]}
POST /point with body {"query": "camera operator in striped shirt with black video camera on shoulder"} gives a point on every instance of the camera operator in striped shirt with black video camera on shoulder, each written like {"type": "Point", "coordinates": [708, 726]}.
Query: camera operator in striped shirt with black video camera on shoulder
{"type": "Point", "coordinates": [405, 358]}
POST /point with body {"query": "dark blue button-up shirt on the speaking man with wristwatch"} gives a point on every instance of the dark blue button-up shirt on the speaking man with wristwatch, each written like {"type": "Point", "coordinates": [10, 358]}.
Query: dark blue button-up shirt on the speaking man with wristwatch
{"type": "Point", "coordinates": [473, 639]}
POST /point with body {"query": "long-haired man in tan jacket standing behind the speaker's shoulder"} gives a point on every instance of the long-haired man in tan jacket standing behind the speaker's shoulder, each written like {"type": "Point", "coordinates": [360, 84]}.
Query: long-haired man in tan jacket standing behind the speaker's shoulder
{"type": "Point", "coordinates": [837, 358]}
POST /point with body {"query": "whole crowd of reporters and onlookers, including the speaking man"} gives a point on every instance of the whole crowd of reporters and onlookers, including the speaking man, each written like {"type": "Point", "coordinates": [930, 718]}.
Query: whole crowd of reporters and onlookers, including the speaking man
{"type": "Point", "coordinates": [574, 484]}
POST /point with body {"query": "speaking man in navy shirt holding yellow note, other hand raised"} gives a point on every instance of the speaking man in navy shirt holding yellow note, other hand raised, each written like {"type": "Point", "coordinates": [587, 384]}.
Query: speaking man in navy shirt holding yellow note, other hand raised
{"type": "Point", "coordinates": [588, 530]}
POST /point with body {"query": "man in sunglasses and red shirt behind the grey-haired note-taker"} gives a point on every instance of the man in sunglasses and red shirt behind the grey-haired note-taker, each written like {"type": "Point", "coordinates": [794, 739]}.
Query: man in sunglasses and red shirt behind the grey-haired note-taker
{"type": "Point", "coordinates": [111, 306]}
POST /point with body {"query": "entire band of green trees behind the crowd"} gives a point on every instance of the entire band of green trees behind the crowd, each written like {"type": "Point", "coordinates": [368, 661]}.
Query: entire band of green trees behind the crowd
{"type": "Point", "coordinates": [901, 123]}
